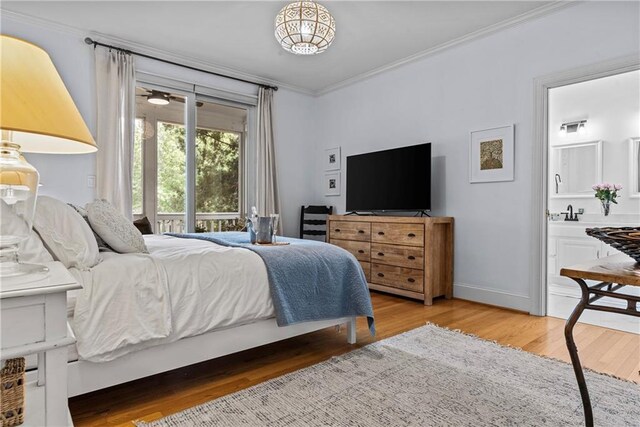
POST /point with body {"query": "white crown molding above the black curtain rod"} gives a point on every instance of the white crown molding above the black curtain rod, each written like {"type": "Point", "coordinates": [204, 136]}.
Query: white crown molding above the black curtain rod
{"type": "Point", "coordinates": [148, 50]}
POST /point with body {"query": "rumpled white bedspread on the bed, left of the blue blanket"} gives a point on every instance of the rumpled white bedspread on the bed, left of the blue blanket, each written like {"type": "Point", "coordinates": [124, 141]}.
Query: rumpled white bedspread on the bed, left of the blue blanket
{"type": "Point", "coordinates": [184, 287]}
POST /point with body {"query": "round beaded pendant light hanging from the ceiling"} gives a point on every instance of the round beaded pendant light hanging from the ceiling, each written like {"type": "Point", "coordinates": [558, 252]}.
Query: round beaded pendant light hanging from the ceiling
{"type": "Point", "coordinates": [305, 28]}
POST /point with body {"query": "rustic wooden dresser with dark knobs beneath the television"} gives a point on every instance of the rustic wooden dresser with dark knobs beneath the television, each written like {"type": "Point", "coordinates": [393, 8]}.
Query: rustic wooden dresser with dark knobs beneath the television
{"type": "Point", "coordinates": [407, 256]}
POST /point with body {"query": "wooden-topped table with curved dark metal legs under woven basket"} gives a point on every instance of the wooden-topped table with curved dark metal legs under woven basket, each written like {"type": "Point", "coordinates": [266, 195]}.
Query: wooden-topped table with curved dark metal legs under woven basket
{"type": "Point", "coordinates": [613, 273]}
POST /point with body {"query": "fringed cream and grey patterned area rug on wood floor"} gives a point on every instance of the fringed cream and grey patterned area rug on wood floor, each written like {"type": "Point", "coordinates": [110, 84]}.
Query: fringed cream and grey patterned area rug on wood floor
{"type": "Point", "coordinates": [429, 376]}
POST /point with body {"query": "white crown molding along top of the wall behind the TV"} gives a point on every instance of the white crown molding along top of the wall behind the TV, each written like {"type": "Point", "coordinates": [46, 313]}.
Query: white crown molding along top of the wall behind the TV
{"type": "Point", "coordinates": [511, 22]}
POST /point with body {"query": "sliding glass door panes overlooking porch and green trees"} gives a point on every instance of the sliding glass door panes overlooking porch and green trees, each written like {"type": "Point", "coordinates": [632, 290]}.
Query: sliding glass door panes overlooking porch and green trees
{"type": "Point", "coordinates": [160, 166]}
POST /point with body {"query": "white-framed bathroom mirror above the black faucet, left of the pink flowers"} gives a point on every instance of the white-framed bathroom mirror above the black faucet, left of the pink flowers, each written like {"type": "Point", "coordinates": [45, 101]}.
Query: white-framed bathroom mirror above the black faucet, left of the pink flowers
{"type": "Point", "coordinates": [574, 168]}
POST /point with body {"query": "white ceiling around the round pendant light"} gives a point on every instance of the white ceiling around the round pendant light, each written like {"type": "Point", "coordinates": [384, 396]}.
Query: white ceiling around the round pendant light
{"type": "Point", "coordinates": [238, 35]}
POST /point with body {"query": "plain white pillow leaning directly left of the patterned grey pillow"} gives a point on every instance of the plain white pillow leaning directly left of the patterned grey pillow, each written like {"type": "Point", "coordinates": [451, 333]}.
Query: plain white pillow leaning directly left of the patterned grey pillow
{"type": "Point", "coordinates": [67, 236]}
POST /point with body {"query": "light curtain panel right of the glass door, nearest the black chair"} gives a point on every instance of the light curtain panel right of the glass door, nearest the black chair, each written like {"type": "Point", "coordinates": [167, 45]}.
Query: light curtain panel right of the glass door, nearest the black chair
{"type": "Point", "coordinates": [267, 197]}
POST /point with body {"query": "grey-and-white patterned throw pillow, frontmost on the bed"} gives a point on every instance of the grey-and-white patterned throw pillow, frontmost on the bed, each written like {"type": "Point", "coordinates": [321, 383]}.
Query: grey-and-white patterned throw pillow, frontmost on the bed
{"type": "Point", "coordinates": [114, 228]}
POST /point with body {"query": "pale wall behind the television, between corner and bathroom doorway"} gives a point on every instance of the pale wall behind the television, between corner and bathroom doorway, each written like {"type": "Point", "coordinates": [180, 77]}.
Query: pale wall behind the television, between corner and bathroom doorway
{"type": "Point", "coordinates": [485, 83]}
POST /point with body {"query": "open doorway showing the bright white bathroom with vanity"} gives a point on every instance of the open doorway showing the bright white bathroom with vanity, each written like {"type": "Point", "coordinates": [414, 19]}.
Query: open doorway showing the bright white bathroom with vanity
{"type": "Point", "coordinates": [592, 133]}
